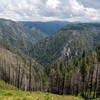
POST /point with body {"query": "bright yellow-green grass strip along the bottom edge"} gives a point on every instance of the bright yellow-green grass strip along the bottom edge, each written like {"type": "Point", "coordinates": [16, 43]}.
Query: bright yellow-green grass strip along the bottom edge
{"type": "Point", "coordinates": [20, 95]}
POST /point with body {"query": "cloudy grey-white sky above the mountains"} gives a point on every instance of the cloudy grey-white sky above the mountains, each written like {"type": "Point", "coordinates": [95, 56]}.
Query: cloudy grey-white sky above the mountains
{"type": "Point", "coordinates": [49, 10]}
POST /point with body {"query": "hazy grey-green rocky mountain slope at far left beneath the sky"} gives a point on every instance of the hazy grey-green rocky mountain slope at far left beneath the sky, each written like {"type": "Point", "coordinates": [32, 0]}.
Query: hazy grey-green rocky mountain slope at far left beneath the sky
{"type": "Point", "coordinates": [18, 36]}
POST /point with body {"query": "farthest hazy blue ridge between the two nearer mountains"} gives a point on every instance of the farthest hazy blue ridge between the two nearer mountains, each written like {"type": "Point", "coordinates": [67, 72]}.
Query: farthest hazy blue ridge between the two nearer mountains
{"type": "Point", "coordinates": [46, 27]}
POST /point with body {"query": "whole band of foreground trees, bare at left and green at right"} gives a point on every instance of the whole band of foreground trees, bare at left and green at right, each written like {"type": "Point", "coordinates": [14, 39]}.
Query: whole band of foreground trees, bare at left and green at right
{"type": "Point", "coordinates": [78, 76]}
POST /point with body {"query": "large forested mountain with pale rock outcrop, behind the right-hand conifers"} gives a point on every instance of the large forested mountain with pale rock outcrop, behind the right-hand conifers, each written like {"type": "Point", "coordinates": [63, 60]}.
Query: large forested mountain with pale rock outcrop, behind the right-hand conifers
{"type": "Point", "coordinates": [70, 41]}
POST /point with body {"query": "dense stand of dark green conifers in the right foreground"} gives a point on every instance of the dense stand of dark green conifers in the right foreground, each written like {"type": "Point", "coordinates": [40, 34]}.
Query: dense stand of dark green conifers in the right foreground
{"type": "Point", "coordinates": [79, 76]}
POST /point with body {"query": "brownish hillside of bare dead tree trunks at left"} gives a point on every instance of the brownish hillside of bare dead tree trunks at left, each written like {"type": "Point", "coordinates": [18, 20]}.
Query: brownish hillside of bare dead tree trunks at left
{"type": "Point", "coordinates": [21, 72]}
